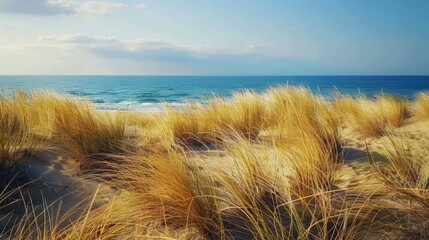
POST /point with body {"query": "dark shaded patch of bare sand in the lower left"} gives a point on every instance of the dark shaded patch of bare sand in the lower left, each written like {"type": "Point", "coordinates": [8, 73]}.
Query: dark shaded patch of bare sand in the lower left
{"type": "Point", "coordinates": [46, 186]}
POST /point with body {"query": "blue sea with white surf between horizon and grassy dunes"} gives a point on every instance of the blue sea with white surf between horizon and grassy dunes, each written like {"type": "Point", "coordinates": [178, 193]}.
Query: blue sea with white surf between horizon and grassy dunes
{"type": "Point", "coordinates": [147, 93]}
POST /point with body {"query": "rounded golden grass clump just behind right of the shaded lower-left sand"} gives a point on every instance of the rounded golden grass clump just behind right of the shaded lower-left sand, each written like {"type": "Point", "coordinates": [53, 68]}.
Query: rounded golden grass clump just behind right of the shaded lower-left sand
{"type": "Point", "coordinates": [86, 133]}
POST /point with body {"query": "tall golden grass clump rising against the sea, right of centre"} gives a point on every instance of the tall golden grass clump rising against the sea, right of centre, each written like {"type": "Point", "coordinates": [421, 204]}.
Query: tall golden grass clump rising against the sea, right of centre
{"type": "Point", "coordinates": [292, 112]}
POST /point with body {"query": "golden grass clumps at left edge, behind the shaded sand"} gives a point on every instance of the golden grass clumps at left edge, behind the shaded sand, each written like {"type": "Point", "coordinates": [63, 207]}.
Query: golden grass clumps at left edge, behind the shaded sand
{"type": "Point", "coordinates": [28, 120]}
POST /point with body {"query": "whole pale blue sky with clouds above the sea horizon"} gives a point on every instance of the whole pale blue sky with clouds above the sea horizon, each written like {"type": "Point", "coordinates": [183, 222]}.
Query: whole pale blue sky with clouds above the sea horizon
{"type": "Point", "coordinates": [222, 37]}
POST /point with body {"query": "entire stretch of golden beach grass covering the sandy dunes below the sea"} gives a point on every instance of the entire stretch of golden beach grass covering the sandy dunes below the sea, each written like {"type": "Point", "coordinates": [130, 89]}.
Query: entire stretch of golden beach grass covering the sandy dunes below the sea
{"type": "Point", "coordinates": [272, 165]}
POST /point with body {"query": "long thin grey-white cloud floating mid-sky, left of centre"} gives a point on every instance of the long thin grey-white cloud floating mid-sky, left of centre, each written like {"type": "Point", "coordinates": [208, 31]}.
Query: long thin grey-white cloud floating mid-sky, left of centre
{"type": "Point", "coordinates": [147, 49]}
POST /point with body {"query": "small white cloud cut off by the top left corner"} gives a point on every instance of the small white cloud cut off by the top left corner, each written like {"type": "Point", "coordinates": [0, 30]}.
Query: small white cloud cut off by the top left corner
{"type": "Point", "coordinates": [59, 7]}
